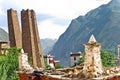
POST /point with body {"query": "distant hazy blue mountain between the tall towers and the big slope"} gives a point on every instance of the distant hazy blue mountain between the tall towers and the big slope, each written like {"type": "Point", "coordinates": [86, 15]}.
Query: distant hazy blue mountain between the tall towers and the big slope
{"type": "Point", "coordinates": [47, 45]}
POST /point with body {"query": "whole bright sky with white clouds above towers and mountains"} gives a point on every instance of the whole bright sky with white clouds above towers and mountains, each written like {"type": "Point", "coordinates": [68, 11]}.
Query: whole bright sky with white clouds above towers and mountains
{"type": "Point", "coordinates": [53, 16]}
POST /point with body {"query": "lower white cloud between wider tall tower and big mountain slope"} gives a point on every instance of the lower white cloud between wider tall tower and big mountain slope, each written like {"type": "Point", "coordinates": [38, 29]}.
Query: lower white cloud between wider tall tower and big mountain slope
{"type": "Point", "coordinates": [47, 29]}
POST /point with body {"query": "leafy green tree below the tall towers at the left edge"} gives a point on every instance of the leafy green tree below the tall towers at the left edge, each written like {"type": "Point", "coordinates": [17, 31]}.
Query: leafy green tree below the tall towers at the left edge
{"type": "Point", "coordinates": [9, 64]}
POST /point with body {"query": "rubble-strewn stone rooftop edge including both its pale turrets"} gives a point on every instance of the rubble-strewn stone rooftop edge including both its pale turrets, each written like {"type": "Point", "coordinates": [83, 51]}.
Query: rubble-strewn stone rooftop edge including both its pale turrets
{"type": "Point", "coordinates": [91, 69]}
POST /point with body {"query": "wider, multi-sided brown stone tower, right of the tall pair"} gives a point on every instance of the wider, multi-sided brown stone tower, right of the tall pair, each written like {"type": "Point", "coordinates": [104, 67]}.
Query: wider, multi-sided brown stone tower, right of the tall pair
{"type": "Point", "coordinates": [30, 38]}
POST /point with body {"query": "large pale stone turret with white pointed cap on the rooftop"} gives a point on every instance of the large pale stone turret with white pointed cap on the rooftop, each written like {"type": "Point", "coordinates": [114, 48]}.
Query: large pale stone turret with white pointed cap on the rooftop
{"type": "Point", "coordinates": [92, 64]}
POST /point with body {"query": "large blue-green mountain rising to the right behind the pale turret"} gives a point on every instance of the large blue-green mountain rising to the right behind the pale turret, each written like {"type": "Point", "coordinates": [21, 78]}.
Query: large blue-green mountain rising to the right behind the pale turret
{"type": "Point", "coordinates": [103, 22]}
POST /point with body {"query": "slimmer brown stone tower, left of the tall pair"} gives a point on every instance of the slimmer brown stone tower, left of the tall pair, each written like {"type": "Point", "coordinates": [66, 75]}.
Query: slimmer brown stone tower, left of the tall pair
{"type": "Point", "coordinates": [14, 29]}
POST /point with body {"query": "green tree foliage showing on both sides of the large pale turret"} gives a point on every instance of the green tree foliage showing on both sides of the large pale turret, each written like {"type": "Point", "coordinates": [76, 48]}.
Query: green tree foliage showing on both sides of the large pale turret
{"type": "Point", "coordinates": [108, 59]}
